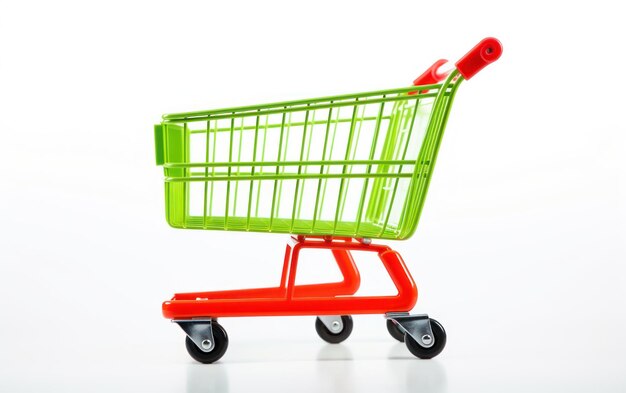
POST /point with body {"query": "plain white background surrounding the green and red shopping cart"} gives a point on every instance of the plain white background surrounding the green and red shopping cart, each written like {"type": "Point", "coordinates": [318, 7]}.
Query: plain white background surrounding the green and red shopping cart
{"type": "Point", "coordinates": [520, 250]}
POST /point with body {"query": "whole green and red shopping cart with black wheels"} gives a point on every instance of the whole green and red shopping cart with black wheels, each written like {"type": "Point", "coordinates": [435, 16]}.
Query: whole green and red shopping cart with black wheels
{"type": "Point", "coordinates": [334, 172]}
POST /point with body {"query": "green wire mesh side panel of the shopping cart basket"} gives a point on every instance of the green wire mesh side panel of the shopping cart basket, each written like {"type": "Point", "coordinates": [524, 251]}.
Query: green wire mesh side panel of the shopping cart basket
{"type": "Point", "coordinates": [343, 167]}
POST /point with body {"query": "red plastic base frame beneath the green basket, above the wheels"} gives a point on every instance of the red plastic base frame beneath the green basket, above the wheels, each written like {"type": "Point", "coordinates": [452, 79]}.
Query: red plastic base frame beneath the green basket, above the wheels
{"type": "Point", "coordinates": [313, 299]}
